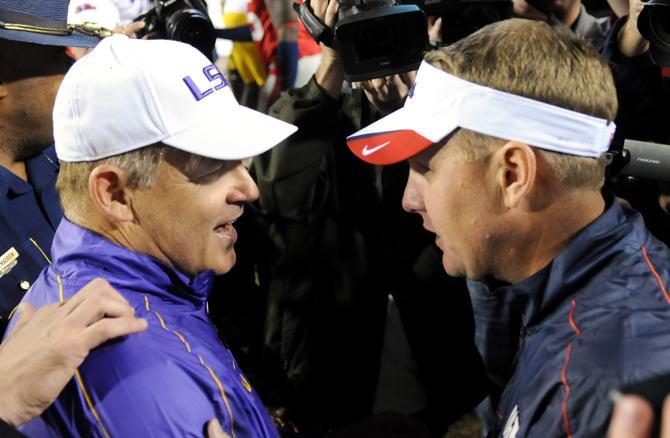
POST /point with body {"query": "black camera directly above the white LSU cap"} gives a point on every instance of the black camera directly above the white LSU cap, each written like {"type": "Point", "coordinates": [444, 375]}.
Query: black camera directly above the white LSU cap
{"type": "Point", "coordinates": [180, 20]}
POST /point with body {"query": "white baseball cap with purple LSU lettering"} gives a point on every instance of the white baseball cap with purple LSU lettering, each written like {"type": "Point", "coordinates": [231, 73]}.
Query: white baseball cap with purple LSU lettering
{"type": "Point", "coordinates": [127, 94]}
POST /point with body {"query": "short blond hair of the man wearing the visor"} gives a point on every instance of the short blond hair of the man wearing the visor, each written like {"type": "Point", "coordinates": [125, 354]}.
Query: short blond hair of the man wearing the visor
{"type": "Point", "coordinates": [534, 60]}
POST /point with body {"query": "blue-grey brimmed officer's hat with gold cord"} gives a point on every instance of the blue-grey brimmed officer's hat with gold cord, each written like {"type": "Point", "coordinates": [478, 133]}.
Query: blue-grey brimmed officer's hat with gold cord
{"type": "Point", "coordinates": [44, 22]}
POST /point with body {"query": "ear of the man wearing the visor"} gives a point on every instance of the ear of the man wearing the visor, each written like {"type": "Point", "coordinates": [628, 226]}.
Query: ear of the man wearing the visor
{"type": "Point", "coordinates": [516, 173]}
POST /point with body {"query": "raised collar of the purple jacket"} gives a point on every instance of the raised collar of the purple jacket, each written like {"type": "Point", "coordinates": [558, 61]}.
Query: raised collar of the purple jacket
{"type": "Point", "coordinates": [80, 255]}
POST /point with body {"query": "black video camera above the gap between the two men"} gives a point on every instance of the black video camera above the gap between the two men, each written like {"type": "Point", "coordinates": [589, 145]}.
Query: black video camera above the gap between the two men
{"type": "Point", "coordinates": [375, 38]}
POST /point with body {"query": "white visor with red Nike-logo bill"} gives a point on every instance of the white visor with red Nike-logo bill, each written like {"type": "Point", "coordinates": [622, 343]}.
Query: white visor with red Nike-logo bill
{"type": "Point", "coordinates": [439, 102]}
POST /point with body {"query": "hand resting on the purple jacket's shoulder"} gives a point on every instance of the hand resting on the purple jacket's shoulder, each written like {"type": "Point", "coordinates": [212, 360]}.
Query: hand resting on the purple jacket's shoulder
{"type": "Point", "coordinates": [41, 354]}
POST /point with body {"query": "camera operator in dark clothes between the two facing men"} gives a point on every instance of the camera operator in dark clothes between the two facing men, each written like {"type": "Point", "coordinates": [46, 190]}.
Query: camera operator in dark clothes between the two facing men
{"type": "Point", "coordinates": [358, 302]}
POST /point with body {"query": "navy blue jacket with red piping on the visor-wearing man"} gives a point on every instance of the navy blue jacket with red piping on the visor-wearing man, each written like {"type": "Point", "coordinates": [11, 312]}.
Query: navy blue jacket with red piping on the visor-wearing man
{"type": "Point", "coordinates": [596, 317]}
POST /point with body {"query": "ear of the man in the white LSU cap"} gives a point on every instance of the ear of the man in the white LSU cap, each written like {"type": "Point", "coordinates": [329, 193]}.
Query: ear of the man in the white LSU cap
{"type": "Point", "coordinates": [109, 192]}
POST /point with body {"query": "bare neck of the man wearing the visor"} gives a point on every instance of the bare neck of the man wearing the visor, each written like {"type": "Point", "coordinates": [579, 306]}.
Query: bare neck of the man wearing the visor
{"type": "Point", "coordinates": [546, 233]}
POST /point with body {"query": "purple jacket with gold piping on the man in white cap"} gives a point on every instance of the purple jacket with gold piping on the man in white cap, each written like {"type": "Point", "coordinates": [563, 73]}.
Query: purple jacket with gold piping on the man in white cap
{"type": "Point", "coordinates": [167, 381]}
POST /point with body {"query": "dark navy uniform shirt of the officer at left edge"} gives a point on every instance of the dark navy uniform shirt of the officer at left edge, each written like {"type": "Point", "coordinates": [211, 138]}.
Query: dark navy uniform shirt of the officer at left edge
{"type": "Point", "coordinates": [29, 214]}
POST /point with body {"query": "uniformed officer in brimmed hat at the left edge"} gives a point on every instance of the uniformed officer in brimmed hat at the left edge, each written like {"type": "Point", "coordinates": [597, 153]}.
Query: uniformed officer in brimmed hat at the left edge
{"type": "Point", "coordinates": [33, 61]}
